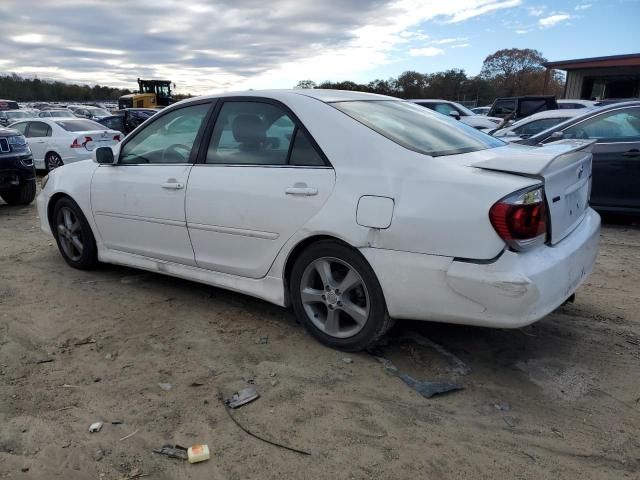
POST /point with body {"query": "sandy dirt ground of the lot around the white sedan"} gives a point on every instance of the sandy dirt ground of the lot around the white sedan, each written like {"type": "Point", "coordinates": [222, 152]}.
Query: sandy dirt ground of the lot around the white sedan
{"type": "Point", "coordinates": [559, 399]}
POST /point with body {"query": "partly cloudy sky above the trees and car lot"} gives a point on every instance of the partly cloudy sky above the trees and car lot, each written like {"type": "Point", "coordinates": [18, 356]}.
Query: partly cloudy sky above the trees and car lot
{"type": "Point", "coordinates": [212, 45]}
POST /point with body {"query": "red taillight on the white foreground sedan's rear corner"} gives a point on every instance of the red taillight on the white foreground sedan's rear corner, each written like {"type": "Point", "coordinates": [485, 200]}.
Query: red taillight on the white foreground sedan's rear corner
{"type": "Point", "coordinates": [521, 219]}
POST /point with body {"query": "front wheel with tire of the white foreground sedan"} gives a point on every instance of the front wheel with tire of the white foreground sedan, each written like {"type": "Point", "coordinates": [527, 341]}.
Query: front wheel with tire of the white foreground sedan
{"type": "Point", "coordinates": [73, 235]}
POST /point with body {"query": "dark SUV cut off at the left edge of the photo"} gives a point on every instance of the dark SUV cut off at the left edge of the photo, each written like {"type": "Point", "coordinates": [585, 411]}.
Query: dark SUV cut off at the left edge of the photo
{"type": "Point", "coordinates": [17, 172]}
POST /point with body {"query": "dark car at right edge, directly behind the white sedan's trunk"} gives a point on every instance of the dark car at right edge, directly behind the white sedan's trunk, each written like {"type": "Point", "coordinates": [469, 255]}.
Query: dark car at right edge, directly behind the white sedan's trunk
{"type": "Point", "coordinates": [616, 153]}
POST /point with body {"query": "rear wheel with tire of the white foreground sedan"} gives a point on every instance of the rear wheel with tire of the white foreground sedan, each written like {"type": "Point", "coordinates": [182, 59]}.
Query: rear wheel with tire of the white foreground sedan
{"type": "Point", "coordinates": [337, 297]}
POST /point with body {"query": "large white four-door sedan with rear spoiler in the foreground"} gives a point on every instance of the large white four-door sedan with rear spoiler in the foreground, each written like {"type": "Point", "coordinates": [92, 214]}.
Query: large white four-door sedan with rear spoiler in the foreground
{"type": "Point", "coordinates": [354, 208]}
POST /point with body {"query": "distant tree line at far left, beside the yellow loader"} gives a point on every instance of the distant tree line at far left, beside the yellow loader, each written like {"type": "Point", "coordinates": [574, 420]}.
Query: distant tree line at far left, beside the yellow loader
{"type": "Point", "coordinates": [14, 87]}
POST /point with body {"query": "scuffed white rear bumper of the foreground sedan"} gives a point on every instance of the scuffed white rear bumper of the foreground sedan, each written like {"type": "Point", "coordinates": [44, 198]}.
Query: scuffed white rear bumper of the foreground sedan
{"type": "Point", "coordinates": [515, 290]}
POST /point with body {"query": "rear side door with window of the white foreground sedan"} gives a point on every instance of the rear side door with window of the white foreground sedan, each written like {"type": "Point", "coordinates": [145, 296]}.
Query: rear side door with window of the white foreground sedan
{"type": "Point", "coordinates": [261, 179]}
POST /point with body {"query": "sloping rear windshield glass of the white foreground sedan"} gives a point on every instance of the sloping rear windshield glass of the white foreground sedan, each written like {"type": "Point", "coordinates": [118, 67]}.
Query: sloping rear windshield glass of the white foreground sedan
{"type": "Point", "coordinates": [417, 128]}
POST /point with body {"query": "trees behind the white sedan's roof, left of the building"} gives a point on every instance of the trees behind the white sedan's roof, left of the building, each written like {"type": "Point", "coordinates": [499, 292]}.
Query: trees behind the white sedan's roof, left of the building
{"type": "Point", "coordinates": [505, 73]}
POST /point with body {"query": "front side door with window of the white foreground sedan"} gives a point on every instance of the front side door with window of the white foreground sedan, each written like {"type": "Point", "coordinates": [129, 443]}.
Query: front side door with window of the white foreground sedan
{"type": "Point", "coordinates": [138, 203]}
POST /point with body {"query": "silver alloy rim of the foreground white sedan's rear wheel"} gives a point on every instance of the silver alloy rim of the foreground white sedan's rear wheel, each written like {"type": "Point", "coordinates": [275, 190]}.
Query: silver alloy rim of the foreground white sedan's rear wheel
{"type": "Point", "coordinates": [335, 297]}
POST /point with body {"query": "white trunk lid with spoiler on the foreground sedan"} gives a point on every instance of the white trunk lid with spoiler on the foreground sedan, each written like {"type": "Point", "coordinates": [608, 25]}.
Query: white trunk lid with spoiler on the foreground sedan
{"type": "Point", "coordinates": [565, 169]}
